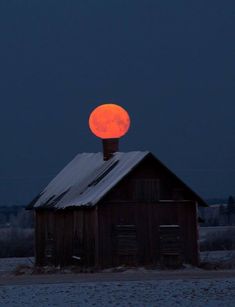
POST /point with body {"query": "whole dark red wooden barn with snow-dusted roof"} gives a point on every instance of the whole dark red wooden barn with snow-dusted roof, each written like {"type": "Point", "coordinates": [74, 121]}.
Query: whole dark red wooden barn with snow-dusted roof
{"type": "Point", "coordinates": [116, 209]}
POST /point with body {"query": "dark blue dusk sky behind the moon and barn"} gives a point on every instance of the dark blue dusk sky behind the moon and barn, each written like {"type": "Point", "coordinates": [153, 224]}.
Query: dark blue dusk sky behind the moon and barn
{"type": "Point", "coordinates": [171, 64]}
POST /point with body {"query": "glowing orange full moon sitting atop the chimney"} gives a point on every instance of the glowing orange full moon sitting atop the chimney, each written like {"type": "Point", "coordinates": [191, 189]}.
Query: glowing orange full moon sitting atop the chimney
{"type": "Point", "coordinates": [109, 121]}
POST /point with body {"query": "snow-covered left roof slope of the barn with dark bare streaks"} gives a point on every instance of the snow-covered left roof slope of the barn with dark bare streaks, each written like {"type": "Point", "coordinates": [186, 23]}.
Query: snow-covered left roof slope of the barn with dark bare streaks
{"type": "Point", "coordinates": [86, 179]}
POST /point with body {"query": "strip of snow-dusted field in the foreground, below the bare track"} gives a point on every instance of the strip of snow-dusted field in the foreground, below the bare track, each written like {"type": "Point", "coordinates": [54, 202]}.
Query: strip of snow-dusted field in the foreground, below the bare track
{"type": "Point", "coordinates": [126, 293]}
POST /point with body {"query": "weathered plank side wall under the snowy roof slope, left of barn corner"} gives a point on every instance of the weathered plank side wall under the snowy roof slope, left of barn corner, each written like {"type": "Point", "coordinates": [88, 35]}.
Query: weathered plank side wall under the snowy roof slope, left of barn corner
{"type": "Point", "coordinates": [60, 235]}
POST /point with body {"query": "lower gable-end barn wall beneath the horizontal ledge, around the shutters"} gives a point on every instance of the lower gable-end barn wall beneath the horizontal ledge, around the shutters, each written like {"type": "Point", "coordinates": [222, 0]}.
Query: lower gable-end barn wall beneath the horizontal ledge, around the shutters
{"type": "Point", "coordinates": [146, 217]}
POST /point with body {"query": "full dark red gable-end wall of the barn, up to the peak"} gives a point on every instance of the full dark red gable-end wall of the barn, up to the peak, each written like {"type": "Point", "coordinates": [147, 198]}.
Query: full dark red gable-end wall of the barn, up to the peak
{"type": "Point", "coordinates": [165, 200]}
